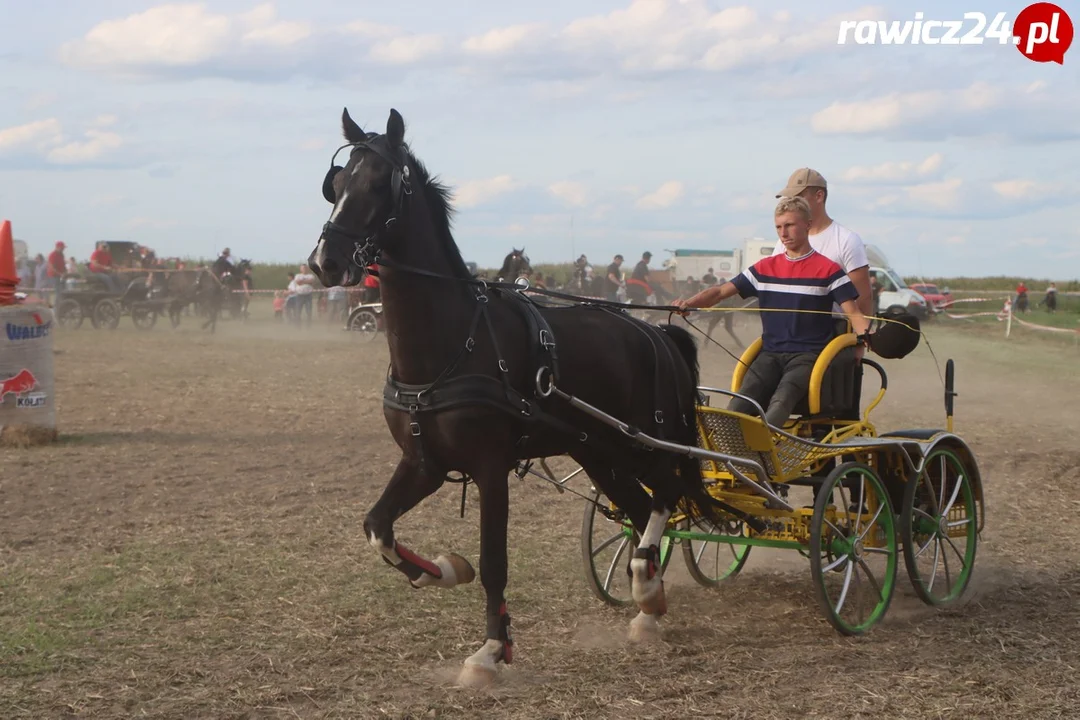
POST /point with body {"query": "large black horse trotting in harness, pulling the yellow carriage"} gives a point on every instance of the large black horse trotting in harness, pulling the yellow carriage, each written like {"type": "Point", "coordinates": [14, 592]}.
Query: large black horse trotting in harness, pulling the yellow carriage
{"type": "Point", "coordinates": [475, 370]}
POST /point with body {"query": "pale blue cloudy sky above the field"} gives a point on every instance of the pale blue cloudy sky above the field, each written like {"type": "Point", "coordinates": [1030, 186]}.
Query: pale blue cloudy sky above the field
{"type": "Point", "coordinates": [643, 126]}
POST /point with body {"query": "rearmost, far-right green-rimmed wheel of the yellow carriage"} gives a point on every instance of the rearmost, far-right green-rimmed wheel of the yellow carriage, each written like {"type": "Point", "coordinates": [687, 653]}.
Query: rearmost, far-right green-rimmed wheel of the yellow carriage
{"type": "Point", "coordinates": [939, 529]}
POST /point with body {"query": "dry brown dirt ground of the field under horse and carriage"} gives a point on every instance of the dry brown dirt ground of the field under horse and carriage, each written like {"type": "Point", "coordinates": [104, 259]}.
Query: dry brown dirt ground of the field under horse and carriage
{"type": "Point", "coordinates": [193, 549]}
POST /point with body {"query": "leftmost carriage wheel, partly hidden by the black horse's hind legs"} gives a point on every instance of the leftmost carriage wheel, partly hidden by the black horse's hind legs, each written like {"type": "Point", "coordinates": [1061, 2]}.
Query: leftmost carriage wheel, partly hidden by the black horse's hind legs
{"type": "Point", "coordinates": [606, 549]}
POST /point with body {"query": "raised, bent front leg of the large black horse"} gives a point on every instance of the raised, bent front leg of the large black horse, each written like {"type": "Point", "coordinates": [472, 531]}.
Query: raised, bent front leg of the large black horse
{"type": "Point", "coordinates": [409, 486]}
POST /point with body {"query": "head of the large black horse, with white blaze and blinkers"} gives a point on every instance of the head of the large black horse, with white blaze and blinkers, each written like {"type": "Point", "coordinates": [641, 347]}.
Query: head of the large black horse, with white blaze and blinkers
{"type": "Point", "coordinates": [369, 196]}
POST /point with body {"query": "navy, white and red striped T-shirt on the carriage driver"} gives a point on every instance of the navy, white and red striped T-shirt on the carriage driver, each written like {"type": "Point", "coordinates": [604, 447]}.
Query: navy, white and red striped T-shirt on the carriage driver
{"type": "Point", "coordinates": [812, 282]}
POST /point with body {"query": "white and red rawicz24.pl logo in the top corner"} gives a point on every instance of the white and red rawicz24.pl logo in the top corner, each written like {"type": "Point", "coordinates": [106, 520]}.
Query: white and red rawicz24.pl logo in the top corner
{"type": "Point", "coordinates": [1043, 32]}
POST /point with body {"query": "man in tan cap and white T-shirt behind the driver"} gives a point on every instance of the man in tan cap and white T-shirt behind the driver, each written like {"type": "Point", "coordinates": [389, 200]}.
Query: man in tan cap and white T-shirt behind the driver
{"type": "Point", "coordinates": [830, 238]}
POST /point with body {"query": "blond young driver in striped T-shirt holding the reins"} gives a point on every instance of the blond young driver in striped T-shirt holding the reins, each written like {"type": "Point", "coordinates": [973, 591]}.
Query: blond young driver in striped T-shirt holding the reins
{"type": "Point", "coordinates": [801, 281]}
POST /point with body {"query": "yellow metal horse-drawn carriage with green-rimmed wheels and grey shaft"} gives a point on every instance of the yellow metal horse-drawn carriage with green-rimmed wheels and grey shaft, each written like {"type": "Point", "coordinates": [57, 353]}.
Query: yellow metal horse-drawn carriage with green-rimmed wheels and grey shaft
{"type": "Point", "coordinates": [869, 498]}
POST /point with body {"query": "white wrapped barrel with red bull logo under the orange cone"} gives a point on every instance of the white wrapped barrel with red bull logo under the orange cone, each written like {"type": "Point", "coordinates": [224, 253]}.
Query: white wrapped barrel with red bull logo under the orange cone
{"type": "Point", "coordinates": [28, 391]}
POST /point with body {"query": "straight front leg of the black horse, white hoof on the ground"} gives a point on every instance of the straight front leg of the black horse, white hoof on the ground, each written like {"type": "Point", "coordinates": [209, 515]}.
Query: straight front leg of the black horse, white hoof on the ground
{"type": "Point", "coordinates": [481, 669]}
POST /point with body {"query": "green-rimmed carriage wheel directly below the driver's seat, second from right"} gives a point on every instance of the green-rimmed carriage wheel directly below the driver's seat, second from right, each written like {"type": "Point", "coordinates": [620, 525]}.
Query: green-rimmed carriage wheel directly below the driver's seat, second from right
{"type": "Point", "coordinates": [854, 551]}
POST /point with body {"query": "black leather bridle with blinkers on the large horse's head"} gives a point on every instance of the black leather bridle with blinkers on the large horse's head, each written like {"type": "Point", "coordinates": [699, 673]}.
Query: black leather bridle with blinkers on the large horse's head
{"type": "Point", "coordinates": [368, 246]}
